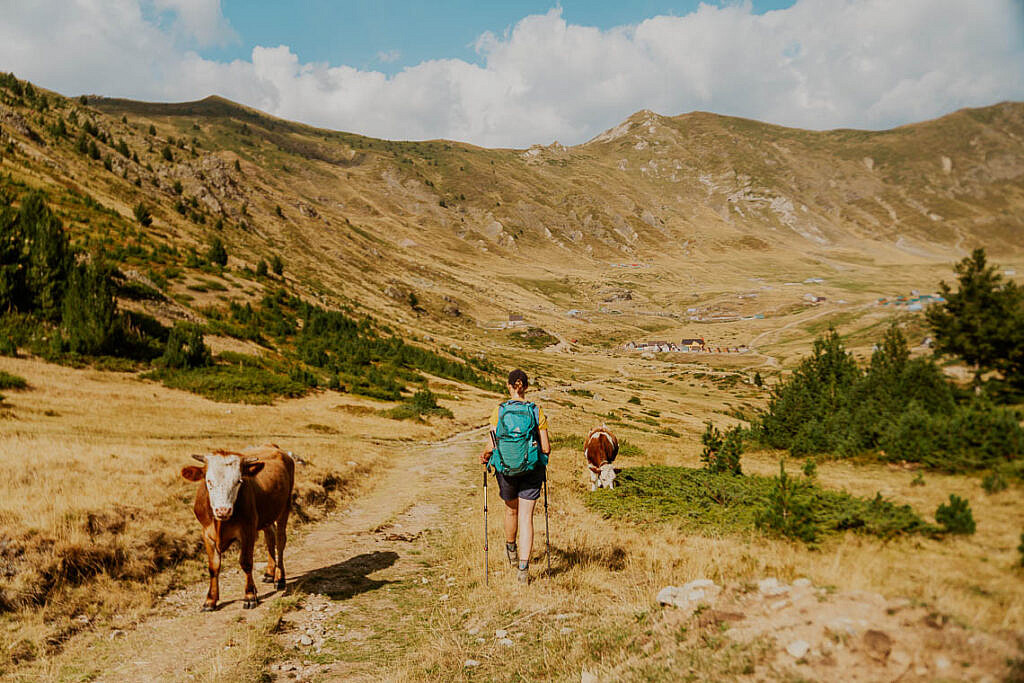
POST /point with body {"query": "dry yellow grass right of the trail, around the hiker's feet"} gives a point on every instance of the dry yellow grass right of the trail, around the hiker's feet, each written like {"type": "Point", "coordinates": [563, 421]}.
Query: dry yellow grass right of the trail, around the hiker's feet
{"type": "Point", "coordinates": [606, 575]}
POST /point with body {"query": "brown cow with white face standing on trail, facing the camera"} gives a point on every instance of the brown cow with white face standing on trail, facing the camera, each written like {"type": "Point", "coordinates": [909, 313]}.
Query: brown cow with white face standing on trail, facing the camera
{"type": "Point", "coordinates": [243, 495]}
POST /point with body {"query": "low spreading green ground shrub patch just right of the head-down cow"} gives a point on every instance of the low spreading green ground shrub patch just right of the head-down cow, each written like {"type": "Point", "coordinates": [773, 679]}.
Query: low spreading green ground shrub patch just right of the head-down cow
{"type": "Point", "coordinates": [724, 503]}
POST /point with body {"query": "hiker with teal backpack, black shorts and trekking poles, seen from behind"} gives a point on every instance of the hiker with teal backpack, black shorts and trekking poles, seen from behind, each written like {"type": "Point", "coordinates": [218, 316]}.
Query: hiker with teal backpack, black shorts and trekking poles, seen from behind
{"type": "Point", "coordinates": [519, 452]}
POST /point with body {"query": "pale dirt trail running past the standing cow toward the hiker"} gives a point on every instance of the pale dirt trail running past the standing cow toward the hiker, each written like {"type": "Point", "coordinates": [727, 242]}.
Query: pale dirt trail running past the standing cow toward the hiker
{"type": "Point", "coordinates": [375, 533]}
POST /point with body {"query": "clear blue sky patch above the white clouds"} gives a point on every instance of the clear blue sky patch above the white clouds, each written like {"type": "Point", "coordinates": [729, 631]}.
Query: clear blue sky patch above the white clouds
{"type": "Point", "coordinates": [390, 35]}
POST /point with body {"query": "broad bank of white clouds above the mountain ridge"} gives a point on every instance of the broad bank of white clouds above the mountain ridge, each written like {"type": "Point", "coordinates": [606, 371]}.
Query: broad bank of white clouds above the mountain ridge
{"type": "Point", "coordinates": [820, 64]}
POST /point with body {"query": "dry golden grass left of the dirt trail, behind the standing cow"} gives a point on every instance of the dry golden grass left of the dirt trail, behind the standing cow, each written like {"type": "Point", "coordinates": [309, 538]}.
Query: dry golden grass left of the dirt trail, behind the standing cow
{"type": "Point", "coordinates": [96, 519]}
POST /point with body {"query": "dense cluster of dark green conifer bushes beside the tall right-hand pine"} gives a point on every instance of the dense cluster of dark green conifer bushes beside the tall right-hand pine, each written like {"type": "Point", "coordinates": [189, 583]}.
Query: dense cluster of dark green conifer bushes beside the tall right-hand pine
{"type": "Point", "coordinates": [904, 409]}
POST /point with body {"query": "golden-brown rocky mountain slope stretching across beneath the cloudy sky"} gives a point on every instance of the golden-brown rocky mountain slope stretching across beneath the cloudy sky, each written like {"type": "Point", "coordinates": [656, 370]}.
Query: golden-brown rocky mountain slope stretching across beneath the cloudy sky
{"type": "Point", "coordinates": [687, 204]}
